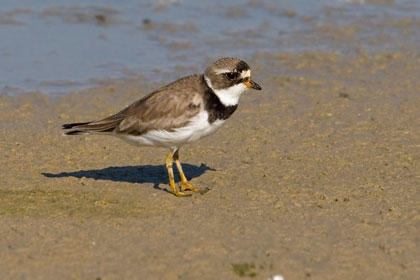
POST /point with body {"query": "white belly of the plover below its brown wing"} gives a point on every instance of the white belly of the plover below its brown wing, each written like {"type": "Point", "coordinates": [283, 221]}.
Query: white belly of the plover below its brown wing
{"type": "Point", "coordinates": [197, 128]}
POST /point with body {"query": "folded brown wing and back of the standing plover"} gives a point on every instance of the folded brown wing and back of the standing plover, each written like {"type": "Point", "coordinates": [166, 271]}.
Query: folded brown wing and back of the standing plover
{"type": "Point", "coordinates": [167, 108]}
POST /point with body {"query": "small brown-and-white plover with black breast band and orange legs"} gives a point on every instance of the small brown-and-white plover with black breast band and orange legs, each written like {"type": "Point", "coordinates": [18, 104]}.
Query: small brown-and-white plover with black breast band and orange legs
{"type": "Point", "coordinates": [181, 112]}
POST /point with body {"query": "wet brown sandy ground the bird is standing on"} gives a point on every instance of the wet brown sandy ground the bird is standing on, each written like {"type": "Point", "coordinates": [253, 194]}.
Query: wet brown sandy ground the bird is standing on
{"type": "Point", "coordinates": [315, 177]}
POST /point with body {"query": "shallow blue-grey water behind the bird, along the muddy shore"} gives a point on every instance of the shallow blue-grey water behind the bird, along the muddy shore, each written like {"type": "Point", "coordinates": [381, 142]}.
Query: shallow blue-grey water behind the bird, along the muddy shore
{"type": "Point", "coordinates": [56, 48]}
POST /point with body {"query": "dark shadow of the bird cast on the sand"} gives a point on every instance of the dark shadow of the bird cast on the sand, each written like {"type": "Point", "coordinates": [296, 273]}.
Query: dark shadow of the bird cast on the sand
{"type": "Point", "coordinates": [155, 174]}
